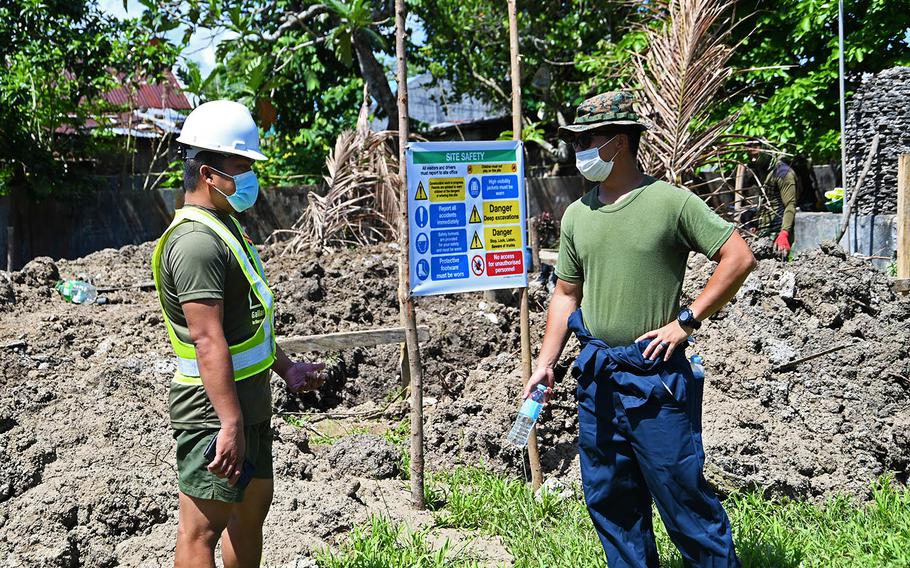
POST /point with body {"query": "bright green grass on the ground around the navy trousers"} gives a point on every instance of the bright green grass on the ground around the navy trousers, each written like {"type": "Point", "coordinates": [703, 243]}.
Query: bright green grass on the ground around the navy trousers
{"type": "Point", "coordinates": [558, 533]}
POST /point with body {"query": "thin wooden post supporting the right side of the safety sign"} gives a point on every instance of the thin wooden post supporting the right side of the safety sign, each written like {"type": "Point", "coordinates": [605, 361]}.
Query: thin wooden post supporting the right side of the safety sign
{"type": "Point", "coordinates": [533, 454]}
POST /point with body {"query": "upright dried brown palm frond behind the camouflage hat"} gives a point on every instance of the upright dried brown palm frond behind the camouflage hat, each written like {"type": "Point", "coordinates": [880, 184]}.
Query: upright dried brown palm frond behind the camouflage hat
{"type": "Point", "coordinates": [681, 77]}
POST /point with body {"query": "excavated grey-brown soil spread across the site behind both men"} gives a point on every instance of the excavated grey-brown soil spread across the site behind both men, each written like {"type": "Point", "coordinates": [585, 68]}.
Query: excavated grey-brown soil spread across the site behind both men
{"type": "Point", "coordinates": [87, 459]}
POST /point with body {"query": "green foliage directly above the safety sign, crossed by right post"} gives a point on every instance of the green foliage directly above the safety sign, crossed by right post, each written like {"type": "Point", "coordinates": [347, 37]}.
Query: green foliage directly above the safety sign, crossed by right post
{"type": "Point", "coordinates": [468, 45]}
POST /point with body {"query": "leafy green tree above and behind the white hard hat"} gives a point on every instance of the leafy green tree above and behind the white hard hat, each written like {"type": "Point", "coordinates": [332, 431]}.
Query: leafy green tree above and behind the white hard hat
{"type": "Point", "coordinates": [302, 65]}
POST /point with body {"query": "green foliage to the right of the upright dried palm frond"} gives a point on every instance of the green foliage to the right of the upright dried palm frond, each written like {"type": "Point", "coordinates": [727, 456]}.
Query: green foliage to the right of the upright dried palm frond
{"type": "Point", "coordinates": [789, 62]}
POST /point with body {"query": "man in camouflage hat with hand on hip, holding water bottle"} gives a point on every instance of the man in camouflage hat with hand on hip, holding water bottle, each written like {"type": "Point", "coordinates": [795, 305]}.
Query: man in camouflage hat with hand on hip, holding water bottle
{"type": "Point", "coordinates": [622, 260]}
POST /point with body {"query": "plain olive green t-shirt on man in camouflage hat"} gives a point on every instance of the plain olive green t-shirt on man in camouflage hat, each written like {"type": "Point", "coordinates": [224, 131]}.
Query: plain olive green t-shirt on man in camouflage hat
{"type": "Point", "coordinates": [631, 255]}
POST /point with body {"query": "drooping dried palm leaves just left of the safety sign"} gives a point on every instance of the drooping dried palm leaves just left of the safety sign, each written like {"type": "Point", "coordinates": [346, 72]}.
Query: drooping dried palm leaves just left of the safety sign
{"type": "Point", "coordinates": [360, 202]}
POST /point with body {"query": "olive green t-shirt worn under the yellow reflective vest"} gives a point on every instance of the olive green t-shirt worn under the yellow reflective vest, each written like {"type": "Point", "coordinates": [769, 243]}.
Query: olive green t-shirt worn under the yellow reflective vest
{"type": "Point", "coordinates": [197, 265]}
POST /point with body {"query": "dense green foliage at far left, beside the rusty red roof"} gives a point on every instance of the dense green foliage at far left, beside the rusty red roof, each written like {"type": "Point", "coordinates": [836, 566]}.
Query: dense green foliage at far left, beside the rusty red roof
{"type": "Point", "coordinates": [57, 57]}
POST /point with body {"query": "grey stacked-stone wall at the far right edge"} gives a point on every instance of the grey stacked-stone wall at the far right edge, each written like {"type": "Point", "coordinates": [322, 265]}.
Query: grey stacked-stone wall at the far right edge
{"type": "Point", "coordinates": [881, 104]}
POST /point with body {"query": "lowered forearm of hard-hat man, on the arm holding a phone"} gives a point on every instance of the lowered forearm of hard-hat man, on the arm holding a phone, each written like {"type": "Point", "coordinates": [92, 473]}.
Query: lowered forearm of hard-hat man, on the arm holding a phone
{"type": "Point", "coordinates": [217, 373]}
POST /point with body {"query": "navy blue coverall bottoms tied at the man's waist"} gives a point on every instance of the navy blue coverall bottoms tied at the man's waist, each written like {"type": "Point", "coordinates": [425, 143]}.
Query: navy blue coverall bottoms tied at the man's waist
{"type": "Point", "coordinates": [640, 440]}
